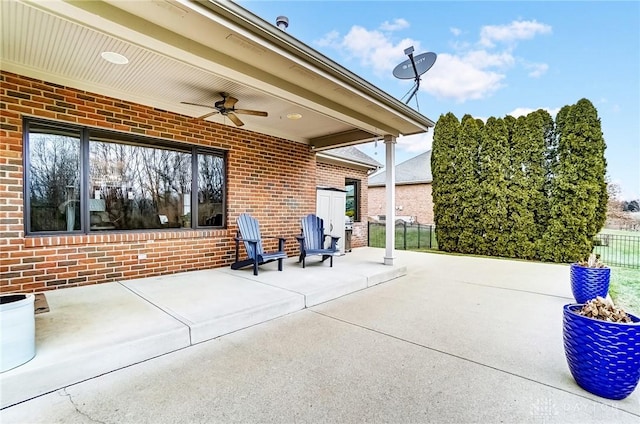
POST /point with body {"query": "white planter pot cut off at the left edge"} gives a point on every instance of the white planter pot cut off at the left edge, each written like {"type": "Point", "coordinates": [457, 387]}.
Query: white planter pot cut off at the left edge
{"type": "Point", "coordinates": [18, 325]}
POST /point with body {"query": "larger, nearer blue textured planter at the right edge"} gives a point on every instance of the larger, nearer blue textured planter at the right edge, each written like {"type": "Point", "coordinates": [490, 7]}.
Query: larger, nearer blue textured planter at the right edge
{"type": "Point", "coordinates": [603, 357]}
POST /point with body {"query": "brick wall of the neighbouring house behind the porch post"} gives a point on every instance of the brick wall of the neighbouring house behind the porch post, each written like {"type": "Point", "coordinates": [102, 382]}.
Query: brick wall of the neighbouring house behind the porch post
{"type": "Point", "coordinates": [415, 200]}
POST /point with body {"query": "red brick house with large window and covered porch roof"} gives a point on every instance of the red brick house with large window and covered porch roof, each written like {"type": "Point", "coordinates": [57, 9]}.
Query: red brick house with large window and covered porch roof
{"type": "Point", "coordinates": [121, 158]}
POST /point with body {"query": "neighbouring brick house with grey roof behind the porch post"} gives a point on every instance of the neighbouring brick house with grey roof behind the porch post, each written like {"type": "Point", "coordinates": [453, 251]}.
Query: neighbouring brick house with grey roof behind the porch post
{"type": "Point", "coordinates": [413, 191]}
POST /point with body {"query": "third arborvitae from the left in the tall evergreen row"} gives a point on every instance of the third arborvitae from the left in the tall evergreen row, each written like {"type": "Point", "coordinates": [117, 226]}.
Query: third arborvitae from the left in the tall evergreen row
{"type": "Point", "coordinates": [492, 187]}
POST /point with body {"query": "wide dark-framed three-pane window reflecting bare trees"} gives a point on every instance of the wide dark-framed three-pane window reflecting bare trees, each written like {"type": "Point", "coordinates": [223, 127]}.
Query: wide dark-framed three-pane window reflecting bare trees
{"type": "Point", "coordinates": [131, 184]}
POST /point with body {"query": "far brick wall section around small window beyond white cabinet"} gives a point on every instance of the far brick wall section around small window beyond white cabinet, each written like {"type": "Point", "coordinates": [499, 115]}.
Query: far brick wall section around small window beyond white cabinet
{"type": "Point", "coordinates": [332, 175]}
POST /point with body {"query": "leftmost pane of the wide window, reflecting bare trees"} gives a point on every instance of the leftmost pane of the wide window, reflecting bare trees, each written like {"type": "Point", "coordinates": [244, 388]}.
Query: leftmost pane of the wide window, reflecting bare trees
{"type": "Point", "coordinates": [54, 176]}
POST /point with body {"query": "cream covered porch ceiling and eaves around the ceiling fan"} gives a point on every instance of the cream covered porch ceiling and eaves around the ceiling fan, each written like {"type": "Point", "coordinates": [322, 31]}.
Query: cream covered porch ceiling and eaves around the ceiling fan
{"type": "Point", "coordinates": [191, 51]}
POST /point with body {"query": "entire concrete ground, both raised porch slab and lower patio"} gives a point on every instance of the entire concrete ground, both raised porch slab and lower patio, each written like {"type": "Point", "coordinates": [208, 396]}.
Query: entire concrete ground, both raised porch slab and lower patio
{"type": "Point", "coordinates": [456, 339]}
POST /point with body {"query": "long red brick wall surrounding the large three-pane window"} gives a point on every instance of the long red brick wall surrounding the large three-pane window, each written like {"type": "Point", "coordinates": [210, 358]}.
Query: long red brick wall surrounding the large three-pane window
{"type": "Point", "coordinates": [267, 177]}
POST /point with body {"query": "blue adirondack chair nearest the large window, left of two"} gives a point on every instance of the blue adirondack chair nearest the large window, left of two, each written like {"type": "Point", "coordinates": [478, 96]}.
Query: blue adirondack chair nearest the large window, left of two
{"type": "Point", "coordinates": [249, 234]}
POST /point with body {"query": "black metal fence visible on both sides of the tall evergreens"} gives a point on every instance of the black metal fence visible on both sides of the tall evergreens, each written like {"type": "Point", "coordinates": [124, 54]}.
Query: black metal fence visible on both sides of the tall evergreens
{"type": "Point", "coordinates": [614, 249]}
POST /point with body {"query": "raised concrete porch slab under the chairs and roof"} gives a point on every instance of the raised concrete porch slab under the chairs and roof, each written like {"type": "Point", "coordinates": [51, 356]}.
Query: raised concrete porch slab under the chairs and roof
{"type": "Point", "coordinates": [96, 329]}
